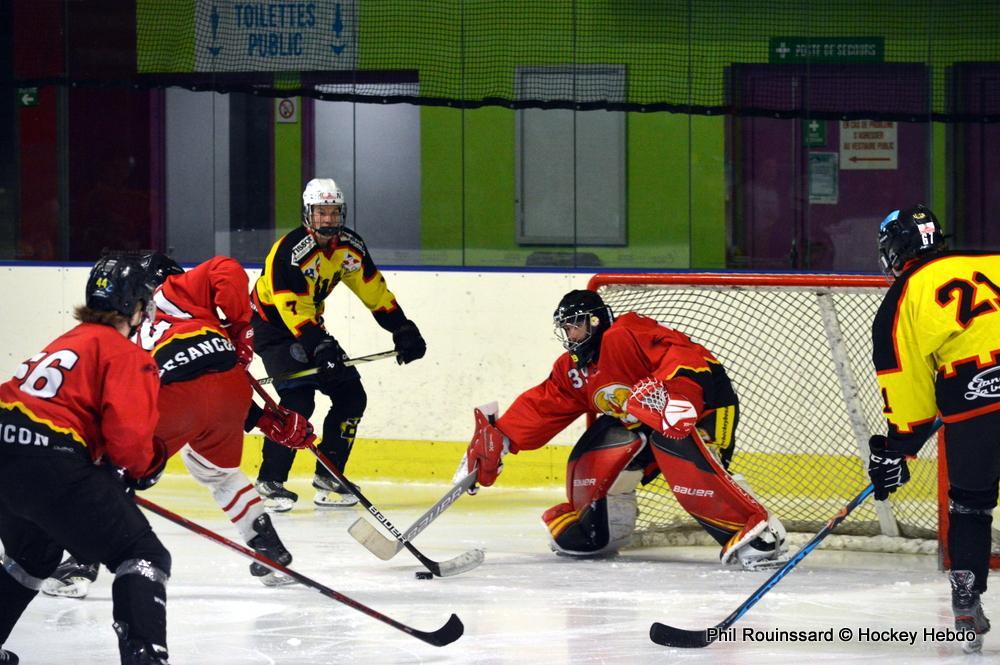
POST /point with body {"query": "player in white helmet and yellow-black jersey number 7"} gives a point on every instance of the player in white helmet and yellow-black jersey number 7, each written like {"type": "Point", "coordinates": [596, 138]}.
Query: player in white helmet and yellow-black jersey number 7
{"type": "Point", "coordinates": [300, 271]}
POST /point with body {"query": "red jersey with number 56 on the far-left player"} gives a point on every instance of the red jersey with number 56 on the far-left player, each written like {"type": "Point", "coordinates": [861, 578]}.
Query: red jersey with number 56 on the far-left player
{"type": "Point", "coordinates": [90, 391]}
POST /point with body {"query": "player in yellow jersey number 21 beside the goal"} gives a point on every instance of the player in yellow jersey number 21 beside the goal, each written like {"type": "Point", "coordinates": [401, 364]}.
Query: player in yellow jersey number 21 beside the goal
{"type": "Point", "coordinates": [937, 355]}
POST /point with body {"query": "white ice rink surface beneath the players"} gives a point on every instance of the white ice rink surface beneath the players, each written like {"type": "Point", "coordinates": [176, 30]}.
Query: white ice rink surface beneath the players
{"type": "Point", "coordinates": [522, 605]}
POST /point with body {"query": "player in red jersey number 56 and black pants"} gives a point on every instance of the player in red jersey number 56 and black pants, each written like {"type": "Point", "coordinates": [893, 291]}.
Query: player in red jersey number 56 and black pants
{"type": "Point", "coordinates": [76, 421]}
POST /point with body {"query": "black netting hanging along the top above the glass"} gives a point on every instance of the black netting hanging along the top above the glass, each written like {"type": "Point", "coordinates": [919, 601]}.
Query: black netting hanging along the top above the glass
{"type": "Point", "coordinates": [676, 55]}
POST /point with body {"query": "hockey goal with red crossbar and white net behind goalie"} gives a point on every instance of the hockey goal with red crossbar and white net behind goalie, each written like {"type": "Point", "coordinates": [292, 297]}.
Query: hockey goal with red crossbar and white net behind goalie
{"type": "Point", "coordinates": [798, 349]}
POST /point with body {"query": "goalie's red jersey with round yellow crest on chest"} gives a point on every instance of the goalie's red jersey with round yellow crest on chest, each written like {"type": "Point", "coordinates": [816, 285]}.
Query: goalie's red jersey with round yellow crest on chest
{"type": "Point", "coordinates": [632, 348]}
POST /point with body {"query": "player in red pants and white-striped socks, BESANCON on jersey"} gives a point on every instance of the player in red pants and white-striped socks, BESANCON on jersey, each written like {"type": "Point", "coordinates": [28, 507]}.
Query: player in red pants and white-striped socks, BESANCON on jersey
{"type": "Point", "coordinates": [204, 400]}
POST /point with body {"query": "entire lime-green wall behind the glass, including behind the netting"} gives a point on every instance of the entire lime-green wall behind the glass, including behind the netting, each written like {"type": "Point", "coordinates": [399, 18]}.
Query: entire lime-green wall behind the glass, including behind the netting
{"type": "Point", "coordinates": [675, 51]}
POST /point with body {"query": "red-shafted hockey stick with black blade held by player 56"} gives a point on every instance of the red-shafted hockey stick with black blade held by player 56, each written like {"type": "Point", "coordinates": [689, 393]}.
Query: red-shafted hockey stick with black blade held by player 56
{"type": "Point", "coordinates": [446, 634]}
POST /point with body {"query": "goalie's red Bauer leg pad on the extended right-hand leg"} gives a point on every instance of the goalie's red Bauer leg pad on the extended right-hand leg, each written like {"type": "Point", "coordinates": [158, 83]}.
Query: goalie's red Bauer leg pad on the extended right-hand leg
{"type": "Point", "coordinates": [709, 494]}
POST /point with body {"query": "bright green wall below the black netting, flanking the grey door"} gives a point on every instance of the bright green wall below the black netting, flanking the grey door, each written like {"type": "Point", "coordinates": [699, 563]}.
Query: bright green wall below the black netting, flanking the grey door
{"type": "Point", "coordinates": [676, 175]}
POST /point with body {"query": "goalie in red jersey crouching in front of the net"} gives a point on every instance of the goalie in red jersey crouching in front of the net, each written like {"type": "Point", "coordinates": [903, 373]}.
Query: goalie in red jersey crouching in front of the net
{"type": "Point", "coordinates": [664, 404]}
